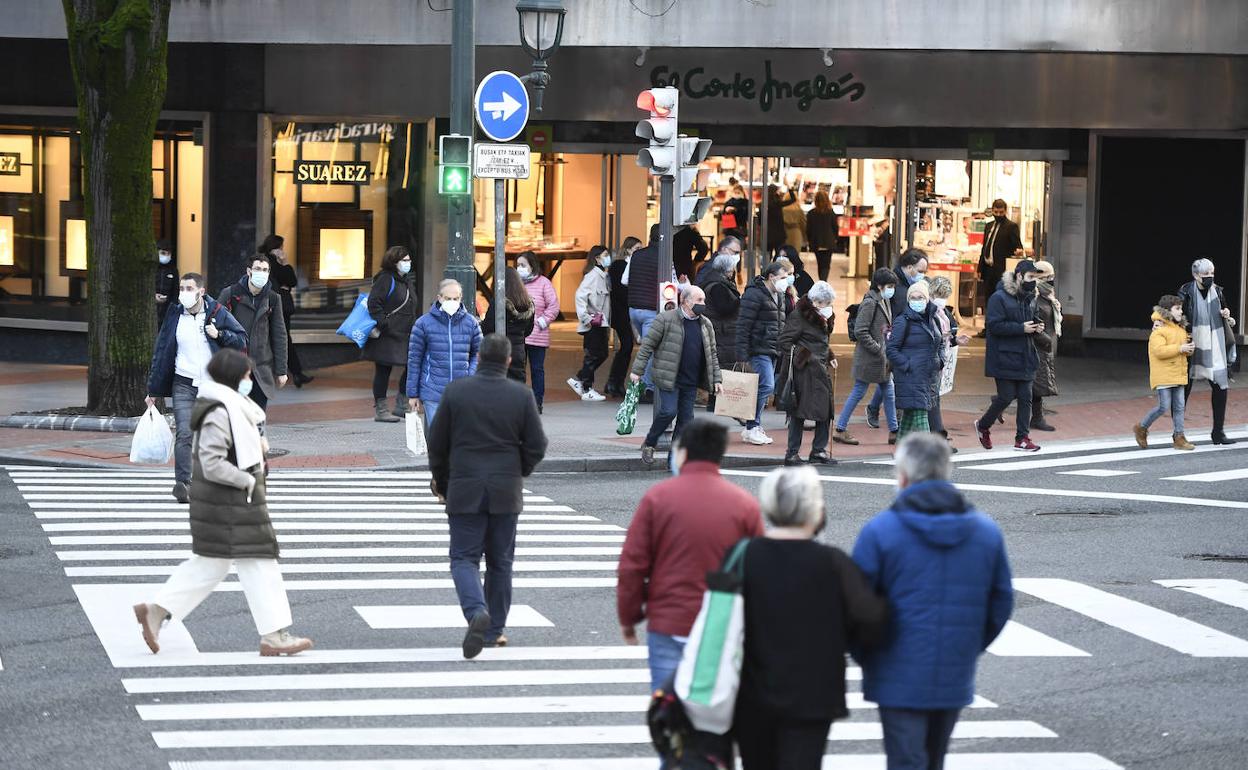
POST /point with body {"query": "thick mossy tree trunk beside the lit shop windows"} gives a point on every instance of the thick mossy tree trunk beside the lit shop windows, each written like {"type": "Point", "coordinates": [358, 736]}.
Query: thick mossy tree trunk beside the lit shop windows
{"type": "Point", "coordinates": [119, 53]}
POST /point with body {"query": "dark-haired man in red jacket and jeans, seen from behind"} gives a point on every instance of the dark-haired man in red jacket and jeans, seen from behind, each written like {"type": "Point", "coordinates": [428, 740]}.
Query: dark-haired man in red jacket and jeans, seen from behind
{"type": "Point", "coordinates": [681, 532]}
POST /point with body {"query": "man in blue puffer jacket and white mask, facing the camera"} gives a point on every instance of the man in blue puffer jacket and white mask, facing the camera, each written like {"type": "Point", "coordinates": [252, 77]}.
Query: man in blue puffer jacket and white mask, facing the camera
{"type": "Point", "coordinates": [442, 348]}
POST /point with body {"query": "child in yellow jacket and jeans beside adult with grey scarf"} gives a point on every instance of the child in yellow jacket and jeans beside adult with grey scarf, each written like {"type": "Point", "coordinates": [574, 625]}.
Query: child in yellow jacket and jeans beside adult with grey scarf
{"type": "Point", "coordinates": [1170, 348]}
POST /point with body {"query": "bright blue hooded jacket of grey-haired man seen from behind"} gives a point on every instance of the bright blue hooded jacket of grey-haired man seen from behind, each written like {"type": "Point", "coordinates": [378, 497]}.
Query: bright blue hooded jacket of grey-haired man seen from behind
{"type": "Point", "coordinates": [944, 570]}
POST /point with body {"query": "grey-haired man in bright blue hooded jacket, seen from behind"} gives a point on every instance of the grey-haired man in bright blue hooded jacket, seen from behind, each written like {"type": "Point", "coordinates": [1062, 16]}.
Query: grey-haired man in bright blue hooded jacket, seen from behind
{"type": "Point", "coordinates": [943, 566]}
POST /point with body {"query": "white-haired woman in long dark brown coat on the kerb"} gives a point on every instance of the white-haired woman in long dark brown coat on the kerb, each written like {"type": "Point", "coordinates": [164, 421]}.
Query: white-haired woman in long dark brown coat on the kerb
{"type": "Point", "coordinates": [806, 356]}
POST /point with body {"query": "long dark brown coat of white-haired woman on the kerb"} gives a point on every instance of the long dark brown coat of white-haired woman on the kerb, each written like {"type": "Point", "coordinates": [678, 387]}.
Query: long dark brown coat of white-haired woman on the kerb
{"type": "Point", "coordinates": [806, 340]}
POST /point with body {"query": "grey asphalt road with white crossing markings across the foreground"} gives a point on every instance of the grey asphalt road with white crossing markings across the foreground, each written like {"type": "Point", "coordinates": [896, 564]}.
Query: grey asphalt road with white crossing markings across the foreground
{"type": "Point", "coordinates": [1139, 686]}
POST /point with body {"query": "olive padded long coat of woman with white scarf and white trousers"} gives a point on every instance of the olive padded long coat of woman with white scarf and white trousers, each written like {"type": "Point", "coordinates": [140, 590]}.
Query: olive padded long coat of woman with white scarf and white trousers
{"type": "Point", "coordinates": [224, 524]}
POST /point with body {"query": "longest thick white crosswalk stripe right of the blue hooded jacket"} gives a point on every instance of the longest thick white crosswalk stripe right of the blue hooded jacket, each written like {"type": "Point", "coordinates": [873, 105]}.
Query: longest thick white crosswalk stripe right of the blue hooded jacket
{"type": "Point", "coordinates": [1136, 618]}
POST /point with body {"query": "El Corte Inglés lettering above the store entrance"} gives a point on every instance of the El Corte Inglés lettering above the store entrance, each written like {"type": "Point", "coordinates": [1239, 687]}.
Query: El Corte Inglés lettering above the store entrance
{"type": "Point", "coordinates": [695, 84]}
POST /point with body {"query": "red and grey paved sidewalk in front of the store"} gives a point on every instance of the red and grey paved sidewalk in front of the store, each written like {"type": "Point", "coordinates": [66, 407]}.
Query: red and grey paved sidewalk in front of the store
{"type": "Point", "coordinates": [329, 424]}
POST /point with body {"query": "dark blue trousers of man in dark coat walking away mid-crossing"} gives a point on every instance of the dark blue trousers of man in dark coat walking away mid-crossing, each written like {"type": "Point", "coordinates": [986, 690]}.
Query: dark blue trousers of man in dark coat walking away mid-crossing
{"type": "Point", "coordinates": [492, 535]}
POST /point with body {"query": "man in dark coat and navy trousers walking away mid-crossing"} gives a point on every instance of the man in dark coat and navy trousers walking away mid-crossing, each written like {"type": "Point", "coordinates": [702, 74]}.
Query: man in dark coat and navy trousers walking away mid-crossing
{"type": "Point", "coordinates": [487, 437]}
